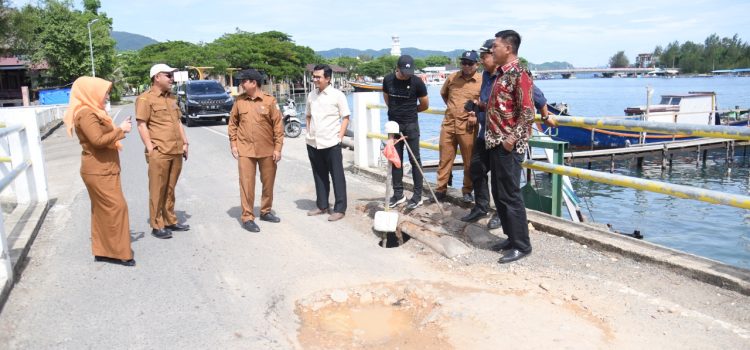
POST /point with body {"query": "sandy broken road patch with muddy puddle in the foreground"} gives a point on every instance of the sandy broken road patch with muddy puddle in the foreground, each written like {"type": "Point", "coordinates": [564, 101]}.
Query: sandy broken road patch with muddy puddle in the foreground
{"type": "Point", "coordinates": [437, 315]}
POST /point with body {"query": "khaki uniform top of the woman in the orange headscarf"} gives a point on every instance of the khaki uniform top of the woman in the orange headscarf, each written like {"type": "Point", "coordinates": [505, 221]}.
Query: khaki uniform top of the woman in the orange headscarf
{"type": "Point", "coordinates": [97, 137]}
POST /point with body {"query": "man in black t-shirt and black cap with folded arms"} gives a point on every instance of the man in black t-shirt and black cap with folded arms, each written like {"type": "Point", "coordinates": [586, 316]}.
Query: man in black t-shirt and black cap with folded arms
{"type": "Point", "coordinates": [401, 92]}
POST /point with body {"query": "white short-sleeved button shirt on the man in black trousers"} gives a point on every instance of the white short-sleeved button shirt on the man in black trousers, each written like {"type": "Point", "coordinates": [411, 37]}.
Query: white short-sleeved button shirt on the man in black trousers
{"type": "Point", "coordinates": [325, 108]}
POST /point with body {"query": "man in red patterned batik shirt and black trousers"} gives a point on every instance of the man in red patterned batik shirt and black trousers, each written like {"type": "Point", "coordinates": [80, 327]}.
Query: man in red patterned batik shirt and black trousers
{"type": "Point", "coordinates": [510, 112]}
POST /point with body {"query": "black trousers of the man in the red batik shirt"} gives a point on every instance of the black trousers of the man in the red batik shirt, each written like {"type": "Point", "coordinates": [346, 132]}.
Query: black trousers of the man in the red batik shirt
{"type": "Point", "coordinates": [505, 177]}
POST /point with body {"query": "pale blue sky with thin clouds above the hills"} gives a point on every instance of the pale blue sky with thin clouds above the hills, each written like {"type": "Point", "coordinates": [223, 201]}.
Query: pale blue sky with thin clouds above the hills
{"type": "Point", "coordinates": [585, 33]}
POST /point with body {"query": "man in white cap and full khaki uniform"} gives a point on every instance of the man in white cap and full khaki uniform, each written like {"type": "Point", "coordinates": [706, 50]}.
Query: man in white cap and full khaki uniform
{"type": "Point", "coordinates": [166, 146]}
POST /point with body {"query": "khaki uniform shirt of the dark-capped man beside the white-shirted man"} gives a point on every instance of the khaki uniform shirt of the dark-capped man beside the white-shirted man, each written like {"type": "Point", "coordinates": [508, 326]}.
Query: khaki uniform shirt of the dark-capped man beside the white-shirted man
{"type": "Point", "coordinates": [255, 126]}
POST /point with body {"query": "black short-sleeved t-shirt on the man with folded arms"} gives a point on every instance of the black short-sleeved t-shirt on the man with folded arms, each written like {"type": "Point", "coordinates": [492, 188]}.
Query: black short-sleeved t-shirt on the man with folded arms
{"type": "Point", "coordinates": [402, 97]}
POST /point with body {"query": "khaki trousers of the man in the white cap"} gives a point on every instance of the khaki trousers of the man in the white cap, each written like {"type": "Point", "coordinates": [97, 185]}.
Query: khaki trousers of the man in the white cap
{"type": "Point", "coordinates": [163, 172]}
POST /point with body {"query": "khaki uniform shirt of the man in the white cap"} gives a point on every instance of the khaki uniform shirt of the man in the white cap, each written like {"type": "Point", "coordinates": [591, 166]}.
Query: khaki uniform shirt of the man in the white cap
{"type": "Point", "coordinates": [162, 117]}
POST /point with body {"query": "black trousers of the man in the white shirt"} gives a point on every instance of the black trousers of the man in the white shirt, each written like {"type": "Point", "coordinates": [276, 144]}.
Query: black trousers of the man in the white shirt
{"type": "Point", "coordinates": [324, 162]}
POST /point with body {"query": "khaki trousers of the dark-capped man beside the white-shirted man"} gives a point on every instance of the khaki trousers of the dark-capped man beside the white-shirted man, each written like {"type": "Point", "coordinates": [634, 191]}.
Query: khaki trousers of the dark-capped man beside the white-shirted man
{"type": "Point", "coordinates": [247, 167]}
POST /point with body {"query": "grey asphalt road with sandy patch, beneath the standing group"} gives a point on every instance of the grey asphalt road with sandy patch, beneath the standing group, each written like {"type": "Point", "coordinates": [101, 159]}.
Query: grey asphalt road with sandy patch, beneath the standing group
{"type": "Point", "coordinates": [219, 286]}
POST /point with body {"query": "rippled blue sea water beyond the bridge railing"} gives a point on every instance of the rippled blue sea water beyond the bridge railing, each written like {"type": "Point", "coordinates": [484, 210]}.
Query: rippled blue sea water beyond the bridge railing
{"type": "Point", "coordinates": [714, 231]}
